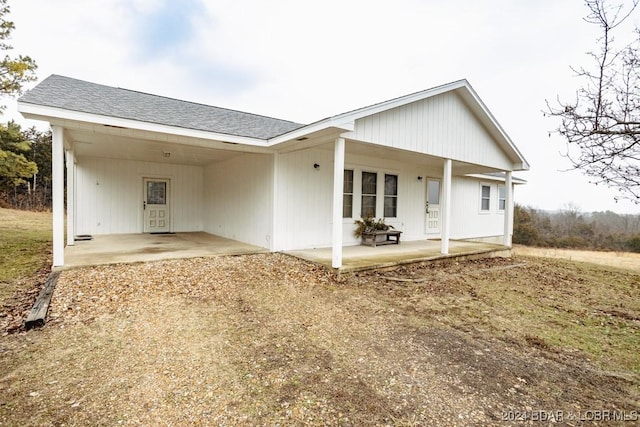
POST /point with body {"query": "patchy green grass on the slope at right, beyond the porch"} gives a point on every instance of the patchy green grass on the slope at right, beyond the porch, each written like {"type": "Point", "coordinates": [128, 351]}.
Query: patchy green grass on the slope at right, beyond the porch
{"type": "Point", "coordinates": [569, 306]}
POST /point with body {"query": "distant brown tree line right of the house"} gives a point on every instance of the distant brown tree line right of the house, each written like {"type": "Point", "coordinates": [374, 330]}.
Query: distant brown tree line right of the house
{"type": "Point", "coordinates": [570, 228]}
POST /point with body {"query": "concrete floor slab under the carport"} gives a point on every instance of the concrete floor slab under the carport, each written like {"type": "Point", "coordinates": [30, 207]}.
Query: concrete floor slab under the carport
{"type": "Point", "coordinates": [129, 248]}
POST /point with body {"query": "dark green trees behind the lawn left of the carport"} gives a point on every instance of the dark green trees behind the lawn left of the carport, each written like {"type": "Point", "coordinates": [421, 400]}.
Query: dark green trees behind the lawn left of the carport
{"type": "Point", "coordinates": [25, 167]}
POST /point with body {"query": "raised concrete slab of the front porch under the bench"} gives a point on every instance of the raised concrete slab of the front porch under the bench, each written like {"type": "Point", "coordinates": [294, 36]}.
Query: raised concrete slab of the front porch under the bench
{"type": "Point", "coordinates": [357, 258]}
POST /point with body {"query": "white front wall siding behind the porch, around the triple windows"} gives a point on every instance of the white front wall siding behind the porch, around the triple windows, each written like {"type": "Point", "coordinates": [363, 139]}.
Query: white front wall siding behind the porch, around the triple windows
{"type": "Point", "coordinates": [304, 197]}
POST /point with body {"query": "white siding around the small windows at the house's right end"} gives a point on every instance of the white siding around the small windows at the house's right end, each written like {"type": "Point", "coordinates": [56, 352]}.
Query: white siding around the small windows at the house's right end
{"type": "Point", "coordinates": [467, 220]}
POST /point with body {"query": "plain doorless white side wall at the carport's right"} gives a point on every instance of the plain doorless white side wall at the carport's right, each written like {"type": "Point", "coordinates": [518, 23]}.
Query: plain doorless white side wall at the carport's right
{"type": "Point", "coordinates": [238, 198]}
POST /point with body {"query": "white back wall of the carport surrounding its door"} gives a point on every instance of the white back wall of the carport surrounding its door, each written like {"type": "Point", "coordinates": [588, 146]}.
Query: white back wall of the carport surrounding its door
{"type": "Point", "coordinates": [109, 195]}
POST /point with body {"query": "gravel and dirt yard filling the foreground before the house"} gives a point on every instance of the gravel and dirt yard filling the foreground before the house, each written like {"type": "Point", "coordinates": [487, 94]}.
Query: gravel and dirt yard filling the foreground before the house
{"type": "Point", "coordinates": [272, 340]}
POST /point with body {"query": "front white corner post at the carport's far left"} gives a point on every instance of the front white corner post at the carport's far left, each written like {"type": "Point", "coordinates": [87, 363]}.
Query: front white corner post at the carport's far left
{"type": "Point", "coordinates": [57, 190]}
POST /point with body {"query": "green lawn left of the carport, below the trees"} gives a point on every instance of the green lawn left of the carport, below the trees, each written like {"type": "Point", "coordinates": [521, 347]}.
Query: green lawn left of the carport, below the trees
{"type": "Point", "coordinates": [25, 247]}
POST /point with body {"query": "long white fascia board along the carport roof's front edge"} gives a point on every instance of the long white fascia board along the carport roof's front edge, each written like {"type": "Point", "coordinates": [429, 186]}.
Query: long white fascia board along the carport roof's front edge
{"type": "Point", "coordinates": [51, 114]}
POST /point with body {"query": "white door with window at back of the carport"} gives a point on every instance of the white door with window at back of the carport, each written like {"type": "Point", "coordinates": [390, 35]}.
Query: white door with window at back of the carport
{"type": "Point", "coordinates": [157, 209]}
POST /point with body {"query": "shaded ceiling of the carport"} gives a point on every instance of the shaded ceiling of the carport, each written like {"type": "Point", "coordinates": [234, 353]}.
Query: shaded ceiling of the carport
{"type": "Point", "coordinates": [92, 144]}
